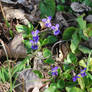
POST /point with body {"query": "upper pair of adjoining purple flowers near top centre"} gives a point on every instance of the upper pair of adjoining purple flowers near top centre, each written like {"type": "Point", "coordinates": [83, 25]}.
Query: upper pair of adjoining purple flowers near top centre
{"type": "Point", "coordinates": [55, 28]}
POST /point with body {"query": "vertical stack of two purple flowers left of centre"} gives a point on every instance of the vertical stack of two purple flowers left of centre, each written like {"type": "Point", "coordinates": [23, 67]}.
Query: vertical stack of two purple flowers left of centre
{"type": "Point", "coordinates": [35, 40]}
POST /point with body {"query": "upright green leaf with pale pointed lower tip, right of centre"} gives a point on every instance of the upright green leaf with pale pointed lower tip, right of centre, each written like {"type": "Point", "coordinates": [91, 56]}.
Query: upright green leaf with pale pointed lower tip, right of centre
{"type": "Point", "coordinates": [75, 42]}
